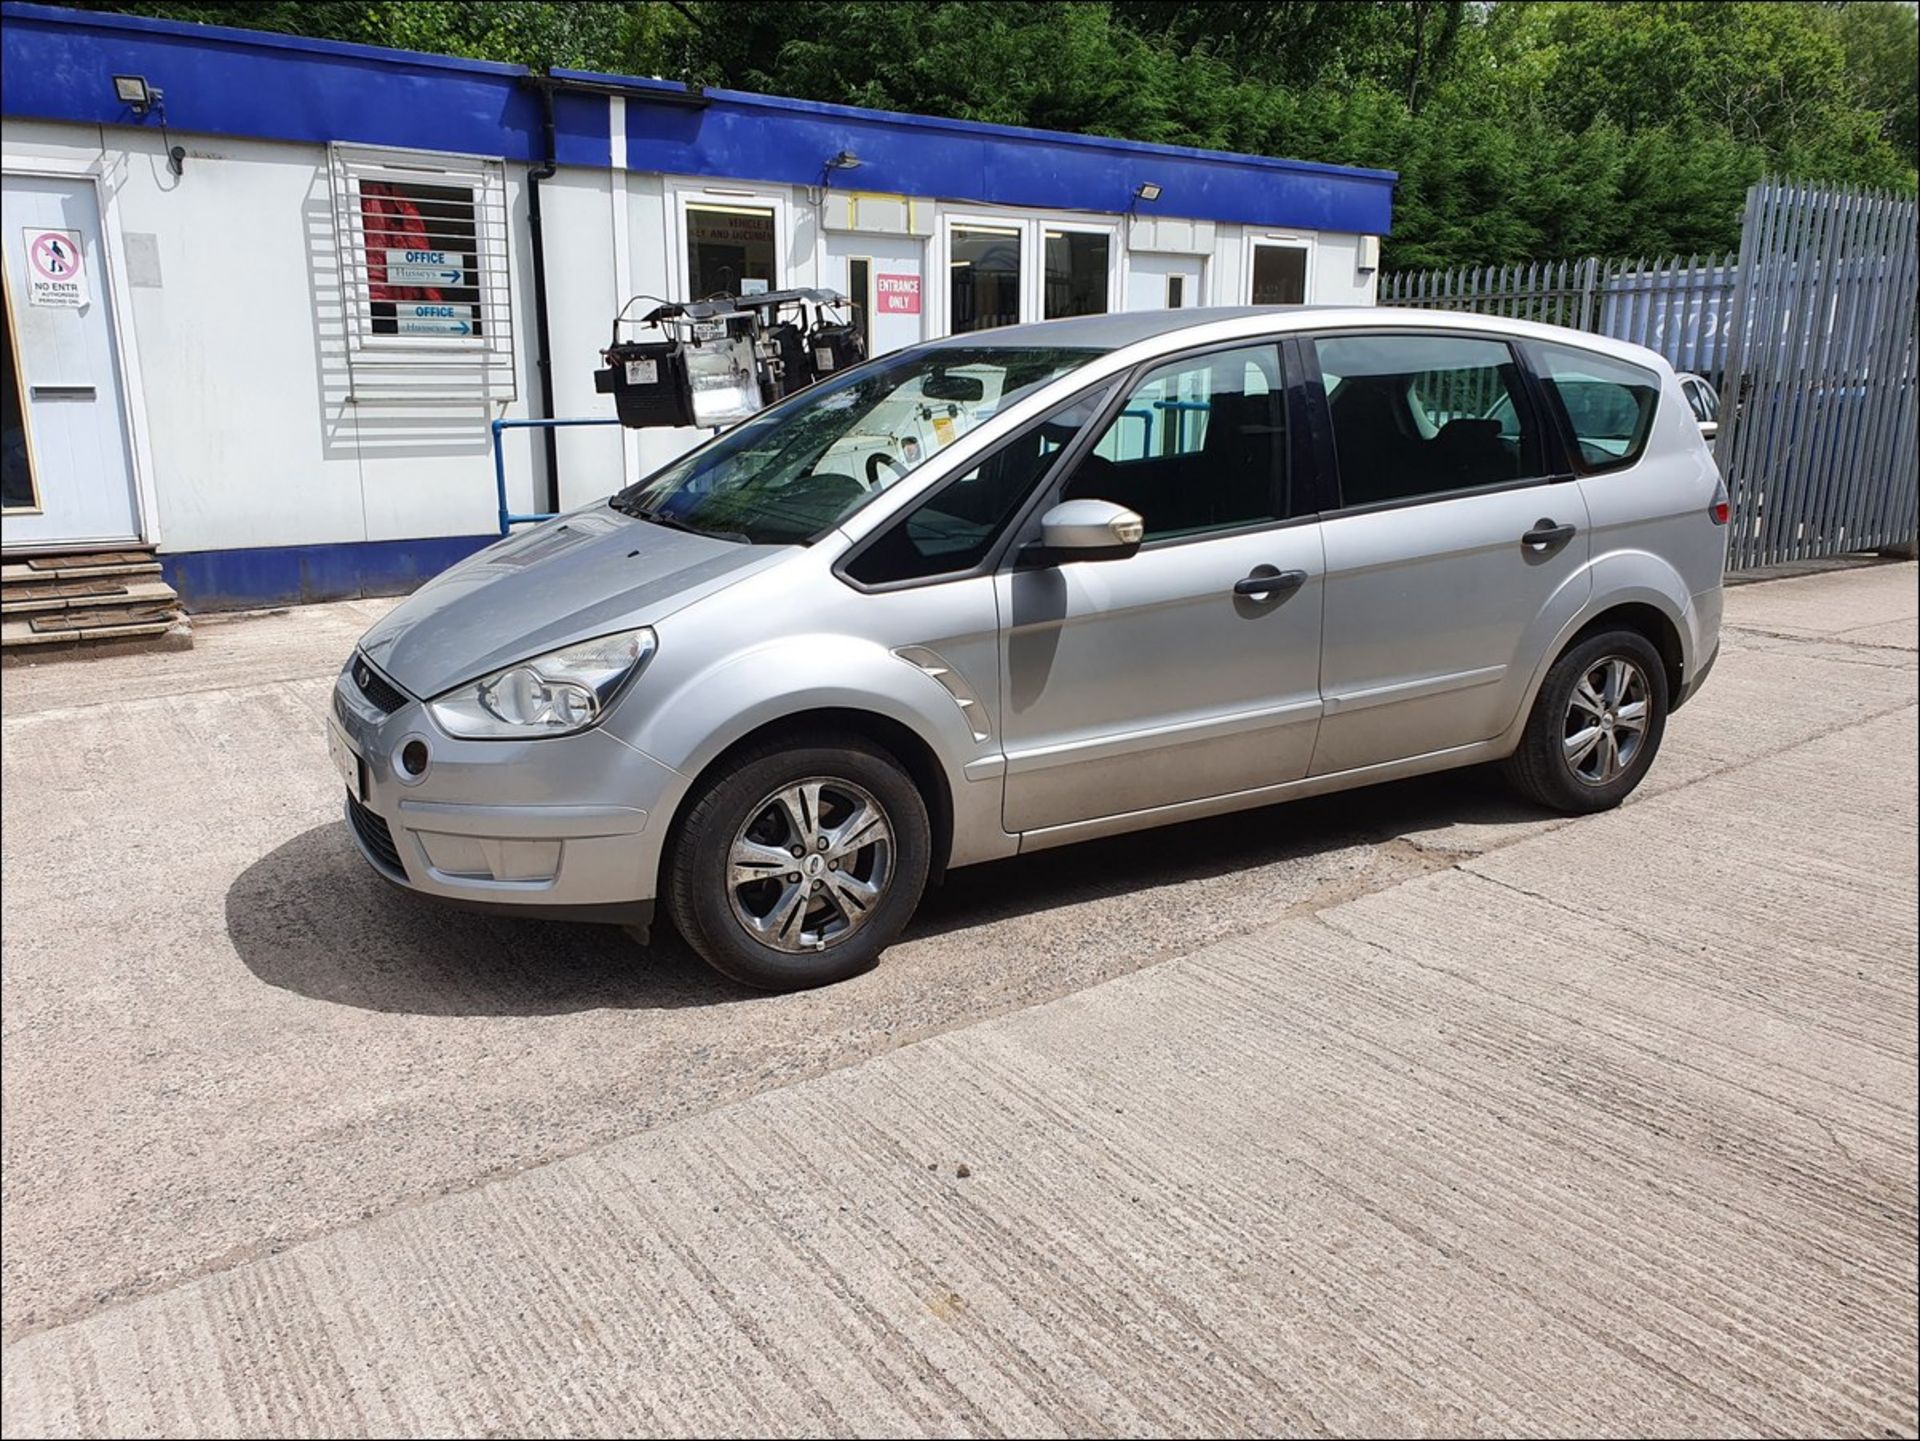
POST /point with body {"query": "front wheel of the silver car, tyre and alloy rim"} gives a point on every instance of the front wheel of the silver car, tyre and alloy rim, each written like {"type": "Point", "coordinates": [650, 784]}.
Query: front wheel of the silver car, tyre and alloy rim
{"type": "Point", "coordinates": [800, 864]}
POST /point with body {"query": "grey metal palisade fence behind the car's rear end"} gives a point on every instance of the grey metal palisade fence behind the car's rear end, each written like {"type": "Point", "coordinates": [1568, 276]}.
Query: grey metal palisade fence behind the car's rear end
{"type": "Point", "coordinates": [1810, 337]}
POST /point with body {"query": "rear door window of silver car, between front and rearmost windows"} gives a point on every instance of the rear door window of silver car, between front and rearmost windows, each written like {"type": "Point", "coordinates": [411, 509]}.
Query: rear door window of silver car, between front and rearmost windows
{"type": "Point", "coordinates": [1426, 415]}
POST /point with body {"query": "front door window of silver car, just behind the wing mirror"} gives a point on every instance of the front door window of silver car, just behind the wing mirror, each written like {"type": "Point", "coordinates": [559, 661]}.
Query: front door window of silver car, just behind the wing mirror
{"type": "Point", "coordinates": [1199, 446]}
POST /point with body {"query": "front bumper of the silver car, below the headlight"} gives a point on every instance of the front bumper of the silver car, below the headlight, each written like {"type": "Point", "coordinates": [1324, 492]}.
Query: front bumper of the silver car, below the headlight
{"type": "Point", "coordinates": [558, 826]}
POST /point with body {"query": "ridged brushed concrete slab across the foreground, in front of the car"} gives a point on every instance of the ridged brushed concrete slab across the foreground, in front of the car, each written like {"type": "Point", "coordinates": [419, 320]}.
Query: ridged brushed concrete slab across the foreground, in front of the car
{"type": "Point", "coordinates": [1545, 1143]}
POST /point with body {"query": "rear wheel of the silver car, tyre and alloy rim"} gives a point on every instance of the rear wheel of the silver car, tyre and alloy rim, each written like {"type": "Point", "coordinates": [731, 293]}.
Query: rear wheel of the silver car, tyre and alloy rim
{"type": "Point", "coordinates": [1595, 728]}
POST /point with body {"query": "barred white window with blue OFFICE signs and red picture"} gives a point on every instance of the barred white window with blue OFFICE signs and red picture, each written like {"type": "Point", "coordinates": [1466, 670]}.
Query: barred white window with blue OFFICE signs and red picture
{"type": "Point", "coordinates": [425, 287]}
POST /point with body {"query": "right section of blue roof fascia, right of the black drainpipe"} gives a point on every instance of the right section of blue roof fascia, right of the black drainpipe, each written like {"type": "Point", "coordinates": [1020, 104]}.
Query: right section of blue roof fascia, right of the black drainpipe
{"type": "Point", "coordinates": [788, 141]}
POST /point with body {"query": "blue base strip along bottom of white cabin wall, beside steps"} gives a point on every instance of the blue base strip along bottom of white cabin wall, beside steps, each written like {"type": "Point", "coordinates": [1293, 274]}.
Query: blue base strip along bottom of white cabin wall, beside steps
{"type": "Point", "coordinates": [300, 575]}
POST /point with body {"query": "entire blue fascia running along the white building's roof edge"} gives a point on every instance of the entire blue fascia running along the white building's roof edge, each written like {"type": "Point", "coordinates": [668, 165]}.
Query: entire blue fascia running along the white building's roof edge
{"type": "Point", "coordinates": [60, 66]}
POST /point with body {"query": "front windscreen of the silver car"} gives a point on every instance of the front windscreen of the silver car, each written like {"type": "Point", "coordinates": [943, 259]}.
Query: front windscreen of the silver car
{"type": "Point", "coordinates": [798, 469]}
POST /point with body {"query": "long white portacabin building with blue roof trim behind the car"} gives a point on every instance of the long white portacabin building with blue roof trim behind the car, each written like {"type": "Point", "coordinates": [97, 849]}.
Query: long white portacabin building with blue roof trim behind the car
{"type": "Point", "coordinates": [268, 296]}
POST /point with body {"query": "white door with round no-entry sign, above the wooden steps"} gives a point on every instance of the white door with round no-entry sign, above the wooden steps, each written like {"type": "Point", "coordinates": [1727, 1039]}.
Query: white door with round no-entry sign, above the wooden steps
{"type": "Point", "coordinates": [68, 469]}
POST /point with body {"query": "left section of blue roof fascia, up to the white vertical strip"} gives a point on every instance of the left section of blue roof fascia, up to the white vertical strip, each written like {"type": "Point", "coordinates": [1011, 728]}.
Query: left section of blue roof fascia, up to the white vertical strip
{"type": "Point", "coordinates": [60, 66]}
